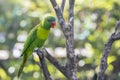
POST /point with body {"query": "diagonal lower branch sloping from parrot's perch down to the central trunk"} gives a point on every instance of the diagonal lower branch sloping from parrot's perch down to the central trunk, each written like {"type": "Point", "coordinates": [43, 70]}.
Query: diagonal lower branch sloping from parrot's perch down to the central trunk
{"type": "Point", "coordinates": [59, 66]}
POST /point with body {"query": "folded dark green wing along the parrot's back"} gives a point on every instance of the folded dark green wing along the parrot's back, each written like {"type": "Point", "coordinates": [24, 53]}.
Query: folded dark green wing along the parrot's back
{"type": "Point", "coordinates": [30, 39]}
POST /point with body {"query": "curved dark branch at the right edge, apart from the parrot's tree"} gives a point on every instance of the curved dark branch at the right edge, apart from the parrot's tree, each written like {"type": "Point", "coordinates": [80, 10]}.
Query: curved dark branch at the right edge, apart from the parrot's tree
{"type": "Point", "coordinates": [103, 66]}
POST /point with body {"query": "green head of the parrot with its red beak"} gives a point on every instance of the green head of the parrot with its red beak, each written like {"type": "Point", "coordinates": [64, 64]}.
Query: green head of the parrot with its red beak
{"type": "Point", "coordinates": [49, 22]}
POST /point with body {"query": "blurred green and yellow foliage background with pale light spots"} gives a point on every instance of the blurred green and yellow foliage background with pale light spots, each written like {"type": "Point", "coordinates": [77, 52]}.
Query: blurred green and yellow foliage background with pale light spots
{"type": "Point", "coordinates": [94, 23]}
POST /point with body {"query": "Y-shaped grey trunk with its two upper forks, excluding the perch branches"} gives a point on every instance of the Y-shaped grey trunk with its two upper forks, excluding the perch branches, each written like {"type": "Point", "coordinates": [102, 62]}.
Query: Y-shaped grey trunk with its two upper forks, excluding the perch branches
{"type": "Point", "coordinates": [71, 66]}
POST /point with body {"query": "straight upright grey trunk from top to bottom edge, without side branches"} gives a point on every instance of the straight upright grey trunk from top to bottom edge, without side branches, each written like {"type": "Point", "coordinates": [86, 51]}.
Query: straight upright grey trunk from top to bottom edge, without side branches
{"type": "Point", "coordinates": [71, 65]}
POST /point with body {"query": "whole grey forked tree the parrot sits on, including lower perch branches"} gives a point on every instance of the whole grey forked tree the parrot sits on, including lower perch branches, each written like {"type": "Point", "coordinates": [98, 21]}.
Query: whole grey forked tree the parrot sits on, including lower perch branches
{"type": "Point", "coordinates": [70, 68]}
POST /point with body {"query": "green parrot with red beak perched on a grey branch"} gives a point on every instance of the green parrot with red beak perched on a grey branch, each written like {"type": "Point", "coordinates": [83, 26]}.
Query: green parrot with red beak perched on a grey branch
{"type": "Point", "coordinates": [36, 38]}
